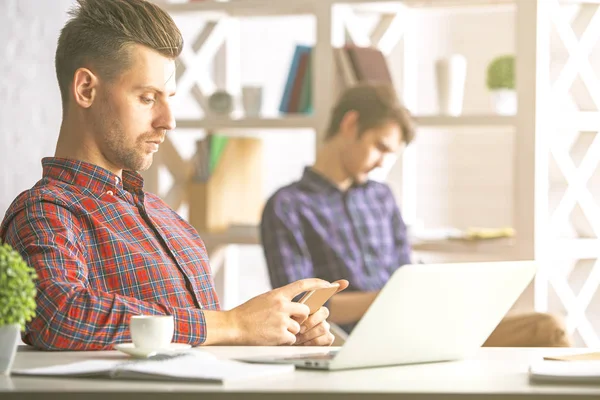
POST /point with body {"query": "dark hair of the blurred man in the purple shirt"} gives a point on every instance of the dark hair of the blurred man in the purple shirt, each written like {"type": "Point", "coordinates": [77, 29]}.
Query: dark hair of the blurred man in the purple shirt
{"type": "Point", "coordinates": [376, 105]}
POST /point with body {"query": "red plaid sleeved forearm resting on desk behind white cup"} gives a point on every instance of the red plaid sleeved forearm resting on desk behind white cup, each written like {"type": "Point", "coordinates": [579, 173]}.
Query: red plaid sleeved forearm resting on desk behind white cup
{"type": "Point", "coordinates": [71, 318]}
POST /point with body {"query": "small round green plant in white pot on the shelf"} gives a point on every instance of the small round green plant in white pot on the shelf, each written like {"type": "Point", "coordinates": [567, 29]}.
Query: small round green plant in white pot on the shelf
{"type": "Point", "coordinates": [501, 83]}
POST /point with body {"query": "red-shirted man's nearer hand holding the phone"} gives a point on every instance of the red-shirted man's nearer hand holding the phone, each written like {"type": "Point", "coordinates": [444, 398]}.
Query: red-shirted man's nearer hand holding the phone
{"type": "Point", "coordinates": [272, 319]}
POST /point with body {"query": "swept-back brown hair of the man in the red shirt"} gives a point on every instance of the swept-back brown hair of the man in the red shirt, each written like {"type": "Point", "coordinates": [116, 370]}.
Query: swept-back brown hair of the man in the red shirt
{"type": "Point", "coordinates": [100, 32]}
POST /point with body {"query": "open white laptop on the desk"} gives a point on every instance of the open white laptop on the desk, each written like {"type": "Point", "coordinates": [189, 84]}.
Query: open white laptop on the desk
{"type": "Point", "coordinates": [425, 313]}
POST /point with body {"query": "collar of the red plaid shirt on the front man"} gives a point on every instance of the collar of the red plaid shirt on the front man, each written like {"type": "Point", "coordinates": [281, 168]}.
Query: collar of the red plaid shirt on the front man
{"type": "Point", "coordinates": [89, 176]}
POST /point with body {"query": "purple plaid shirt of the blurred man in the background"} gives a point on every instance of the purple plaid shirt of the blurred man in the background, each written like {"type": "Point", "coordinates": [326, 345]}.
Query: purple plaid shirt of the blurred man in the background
{"type": "Point", "coordinates": [312, 229]}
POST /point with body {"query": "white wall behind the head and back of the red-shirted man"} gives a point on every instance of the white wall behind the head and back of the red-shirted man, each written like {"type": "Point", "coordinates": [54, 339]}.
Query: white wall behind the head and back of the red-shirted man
{"type": "Point", "coordinates": [29, 97]}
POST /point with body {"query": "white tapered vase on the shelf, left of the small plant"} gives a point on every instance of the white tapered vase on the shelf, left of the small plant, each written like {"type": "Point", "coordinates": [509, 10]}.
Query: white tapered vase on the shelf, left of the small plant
{"type": "Point", "coordinates": [451, 74]}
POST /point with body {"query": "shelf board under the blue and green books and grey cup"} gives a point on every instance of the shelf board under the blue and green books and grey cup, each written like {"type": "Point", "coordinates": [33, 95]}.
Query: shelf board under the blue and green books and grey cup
{"type": "Point", "coordinates": [288, 122]}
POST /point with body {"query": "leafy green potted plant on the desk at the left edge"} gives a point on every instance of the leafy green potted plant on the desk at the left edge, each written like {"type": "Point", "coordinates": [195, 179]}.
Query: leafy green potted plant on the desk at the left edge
{"type": "Point", "coordinates": [17, 302]}
